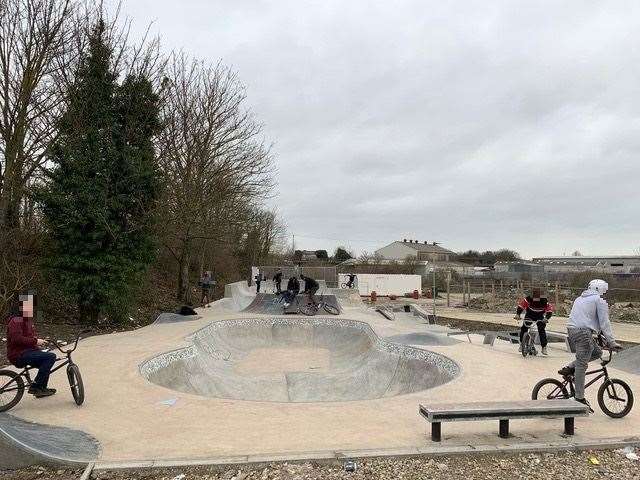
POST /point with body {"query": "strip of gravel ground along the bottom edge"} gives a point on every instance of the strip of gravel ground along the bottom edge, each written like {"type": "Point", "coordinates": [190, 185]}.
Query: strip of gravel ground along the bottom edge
{"type": "Point", "coordinates": [530, 466]}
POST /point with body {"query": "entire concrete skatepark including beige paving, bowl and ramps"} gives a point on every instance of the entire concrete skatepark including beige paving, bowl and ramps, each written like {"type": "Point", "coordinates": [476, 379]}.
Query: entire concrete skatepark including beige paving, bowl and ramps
{"type": "Point", "coordinates": [233, 386]}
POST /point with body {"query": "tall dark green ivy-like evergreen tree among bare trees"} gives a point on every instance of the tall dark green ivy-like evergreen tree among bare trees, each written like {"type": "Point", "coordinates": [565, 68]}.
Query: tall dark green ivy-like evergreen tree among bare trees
{"type": "Point", "coordinates": [99, 199]}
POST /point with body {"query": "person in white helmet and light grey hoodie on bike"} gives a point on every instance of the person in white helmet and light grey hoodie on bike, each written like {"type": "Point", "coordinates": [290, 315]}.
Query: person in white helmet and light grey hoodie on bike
{"type": "Point", "coordinates": [589, 315]}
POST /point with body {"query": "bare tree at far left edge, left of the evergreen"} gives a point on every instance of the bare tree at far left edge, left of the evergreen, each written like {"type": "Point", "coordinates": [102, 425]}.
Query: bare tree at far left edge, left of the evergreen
{"type": "Point", "coordinates": [34, 37]}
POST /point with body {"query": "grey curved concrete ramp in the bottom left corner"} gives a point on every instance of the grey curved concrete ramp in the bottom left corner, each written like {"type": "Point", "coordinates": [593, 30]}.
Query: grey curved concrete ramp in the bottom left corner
{"type": "Point", "coordinates": [23, 444]}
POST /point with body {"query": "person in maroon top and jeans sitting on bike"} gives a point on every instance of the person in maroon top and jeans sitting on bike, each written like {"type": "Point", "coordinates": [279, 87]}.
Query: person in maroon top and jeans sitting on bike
{"type": "Point", "coordinates": [23, 346]}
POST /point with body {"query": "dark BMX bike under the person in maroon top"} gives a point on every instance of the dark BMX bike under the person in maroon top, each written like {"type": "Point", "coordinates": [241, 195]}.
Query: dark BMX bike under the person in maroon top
{"type": "Point", "coordinates": [13, 384]}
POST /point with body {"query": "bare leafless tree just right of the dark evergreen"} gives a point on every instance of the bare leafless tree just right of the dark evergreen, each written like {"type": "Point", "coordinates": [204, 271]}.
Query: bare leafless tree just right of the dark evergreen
{"type": "Point", "coordinates": [217, 167]}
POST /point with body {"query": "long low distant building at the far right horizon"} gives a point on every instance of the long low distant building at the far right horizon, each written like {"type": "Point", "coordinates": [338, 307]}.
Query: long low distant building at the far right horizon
{"type": "Point", "coordinates": [602, 264]}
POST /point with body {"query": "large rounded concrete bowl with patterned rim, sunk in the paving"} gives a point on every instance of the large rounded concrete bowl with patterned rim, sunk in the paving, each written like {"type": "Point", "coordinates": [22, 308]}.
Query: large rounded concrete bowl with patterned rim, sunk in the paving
{"type": "Point", "coordinates": [297, 360]}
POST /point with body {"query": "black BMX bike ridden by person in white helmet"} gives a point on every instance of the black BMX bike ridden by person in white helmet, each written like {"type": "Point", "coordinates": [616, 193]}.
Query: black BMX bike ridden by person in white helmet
{"type": "Point", "coordinates": [615, 396]}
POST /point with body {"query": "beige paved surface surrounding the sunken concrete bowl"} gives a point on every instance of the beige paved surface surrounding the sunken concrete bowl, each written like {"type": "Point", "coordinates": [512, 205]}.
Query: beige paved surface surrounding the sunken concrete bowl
{"type": "Point", "coordinates": [134, 419]}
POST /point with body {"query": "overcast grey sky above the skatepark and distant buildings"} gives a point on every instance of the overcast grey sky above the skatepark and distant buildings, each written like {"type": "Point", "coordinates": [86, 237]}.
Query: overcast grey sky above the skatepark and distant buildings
{"type": "Point", "coordinates": [476, 124]}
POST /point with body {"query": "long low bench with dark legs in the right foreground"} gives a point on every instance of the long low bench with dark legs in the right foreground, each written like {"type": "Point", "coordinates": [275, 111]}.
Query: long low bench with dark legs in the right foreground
{"type": "Point", "coordinates": [502, 411]}
